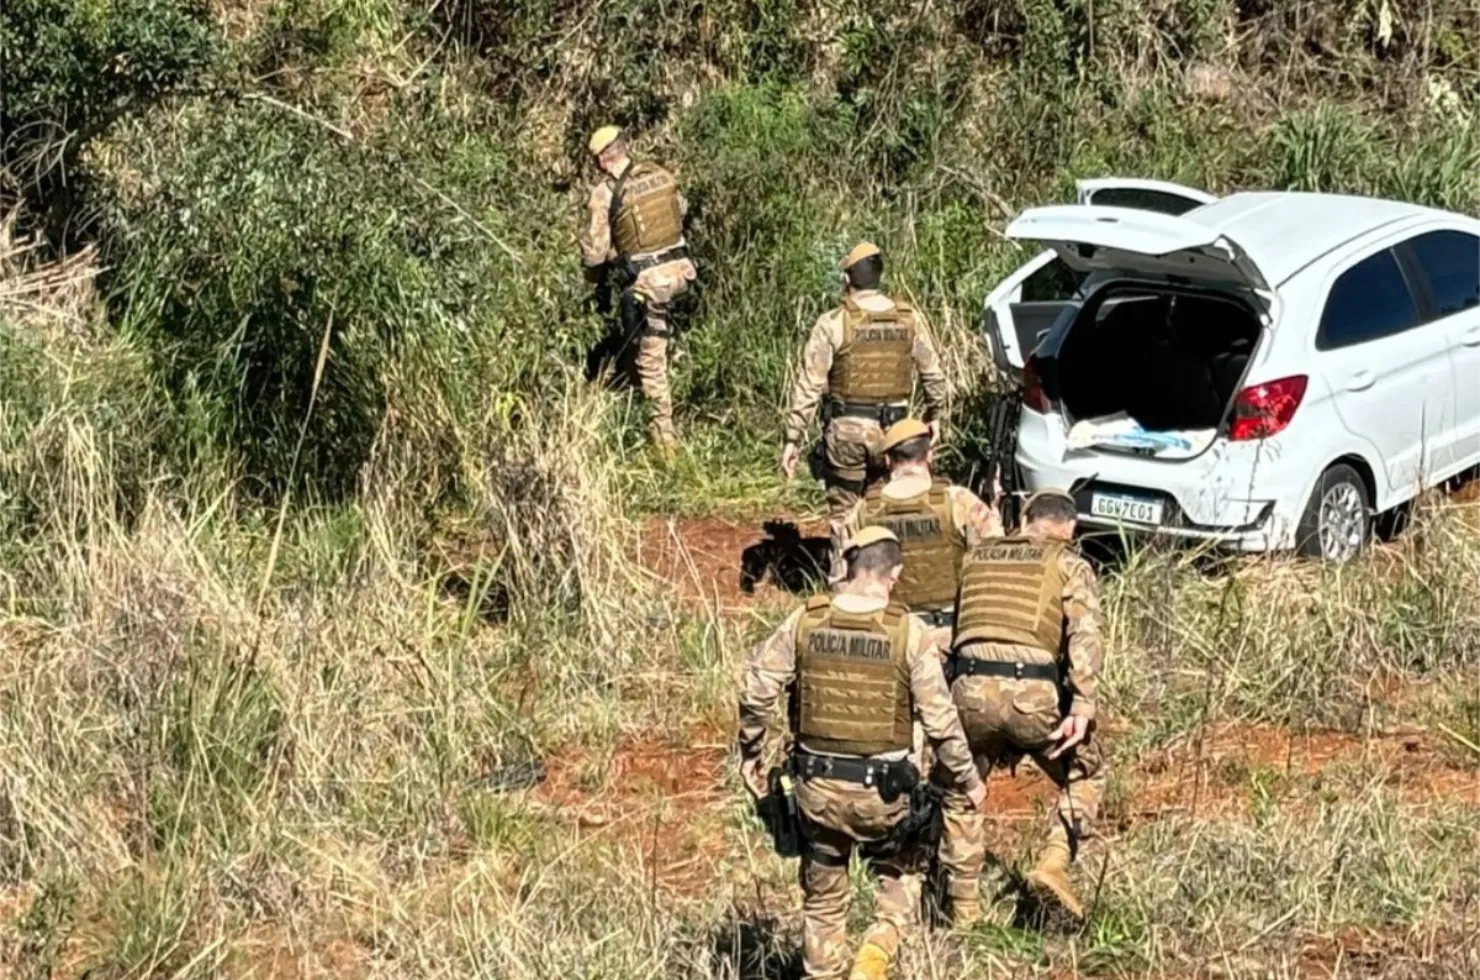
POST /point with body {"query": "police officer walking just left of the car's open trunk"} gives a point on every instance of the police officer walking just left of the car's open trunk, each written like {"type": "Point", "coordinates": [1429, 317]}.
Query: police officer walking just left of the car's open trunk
{"type": "Point", "coordinates": [864, 358]}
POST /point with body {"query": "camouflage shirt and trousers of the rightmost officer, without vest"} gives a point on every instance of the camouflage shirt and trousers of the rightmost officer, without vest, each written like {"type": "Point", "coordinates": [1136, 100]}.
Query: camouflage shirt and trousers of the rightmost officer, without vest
{"type": "Point", "coordinates": [1009, 719]}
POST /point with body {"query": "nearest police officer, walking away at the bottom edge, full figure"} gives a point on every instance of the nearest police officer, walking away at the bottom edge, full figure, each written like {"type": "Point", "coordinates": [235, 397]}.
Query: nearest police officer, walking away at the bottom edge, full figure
{"type": "Point", "coordinates": [861, 673]}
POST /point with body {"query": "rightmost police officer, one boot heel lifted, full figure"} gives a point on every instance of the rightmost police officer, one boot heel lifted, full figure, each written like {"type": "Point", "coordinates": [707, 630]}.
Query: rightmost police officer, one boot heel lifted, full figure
{"type": "Point", "coordinates": [1026, 661]}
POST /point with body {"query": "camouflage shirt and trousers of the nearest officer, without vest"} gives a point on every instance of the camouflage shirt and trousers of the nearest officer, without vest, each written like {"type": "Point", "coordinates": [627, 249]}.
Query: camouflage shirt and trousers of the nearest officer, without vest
{"type": "Point", "coordinates": [843, 818]}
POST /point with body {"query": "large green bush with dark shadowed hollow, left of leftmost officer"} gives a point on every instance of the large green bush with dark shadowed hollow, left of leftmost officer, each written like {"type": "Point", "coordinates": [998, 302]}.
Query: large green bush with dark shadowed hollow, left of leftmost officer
{"type": "Point", "coordinates": [261, 235]}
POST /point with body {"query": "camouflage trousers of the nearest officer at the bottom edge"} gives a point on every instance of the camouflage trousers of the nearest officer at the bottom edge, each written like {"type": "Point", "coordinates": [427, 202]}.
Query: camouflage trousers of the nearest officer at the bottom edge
{"type": "Point", "coordinates": [838, 821]}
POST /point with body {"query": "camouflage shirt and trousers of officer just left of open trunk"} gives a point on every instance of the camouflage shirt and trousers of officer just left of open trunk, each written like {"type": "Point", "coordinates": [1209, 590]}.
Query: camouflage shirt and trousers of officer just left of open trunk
{"type": "Point", "coordinates": [850, 443]}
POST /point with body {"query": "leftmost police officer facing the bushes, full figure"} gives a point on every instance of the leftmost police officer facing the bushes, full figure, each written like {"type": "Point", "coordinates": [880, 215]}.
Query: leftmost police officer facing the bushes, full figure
{"type": "Point", "coordinates": [636, 230]}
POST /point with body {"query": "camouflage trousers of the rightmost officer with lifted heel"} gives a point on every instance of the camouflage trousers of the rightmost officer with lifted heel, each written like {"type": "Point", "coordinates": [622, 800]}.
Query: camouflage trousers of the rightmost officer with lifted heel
{"type": "Point", "coordinates": [1004, 722]}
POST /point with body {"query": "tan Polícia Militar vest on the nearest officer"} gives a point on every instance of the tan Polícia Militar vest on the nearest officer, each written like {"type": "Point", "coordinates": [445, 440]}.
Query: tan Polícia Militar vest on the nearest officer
{"type": "Point", "coordinates": [853, 680]}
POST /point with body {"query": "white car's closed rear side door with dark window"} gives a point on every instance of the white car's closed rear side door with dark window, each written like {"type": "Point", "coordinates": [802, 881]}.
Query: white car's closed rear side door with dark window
{"type": "Point", "coordinates": [1390, 374]}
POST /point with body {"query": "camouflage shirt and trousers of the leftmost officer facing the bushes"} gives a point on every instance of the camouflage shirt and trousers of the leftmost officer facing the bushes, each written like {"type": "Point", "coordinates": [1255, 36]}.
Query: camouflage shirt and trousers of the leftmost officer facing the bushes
{"type": "Point", "coordinates": [653, 291]}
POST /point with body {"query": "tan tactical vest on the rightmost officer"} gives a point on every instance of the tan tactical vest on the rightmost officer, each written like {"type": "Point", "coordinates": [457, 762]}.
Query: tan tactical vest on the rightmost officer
{"type": "Point", "coordinates": [1013, 591]}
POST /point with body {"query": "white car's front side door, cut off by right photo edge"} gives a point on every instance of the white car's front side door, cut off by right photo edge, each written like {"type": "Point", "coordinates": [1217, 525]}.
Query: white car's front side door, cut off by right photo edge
{"type": "Point", "coordinates": [1448, 263]}
